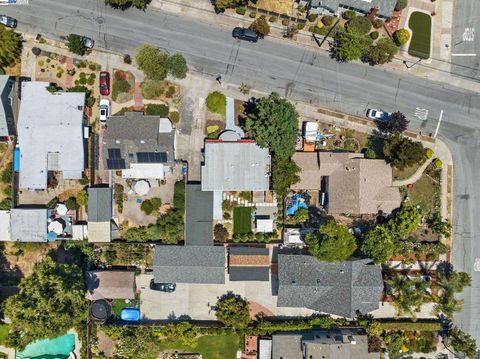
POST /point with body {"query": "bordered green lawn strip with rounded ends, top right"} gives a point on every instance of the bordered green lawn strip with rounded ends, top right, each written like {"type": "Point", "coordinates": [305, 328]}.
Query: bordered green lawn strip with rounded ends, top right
{"type": "Point", "coordinates": [421, 26]}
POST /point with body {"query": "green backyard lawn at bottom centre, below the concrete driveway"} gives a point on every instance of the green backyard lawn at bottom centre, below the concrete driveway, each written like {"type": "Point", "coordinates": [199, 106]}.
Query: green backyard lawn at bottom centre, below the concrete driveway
{"type": "Point", "coordinates": [210, 346]}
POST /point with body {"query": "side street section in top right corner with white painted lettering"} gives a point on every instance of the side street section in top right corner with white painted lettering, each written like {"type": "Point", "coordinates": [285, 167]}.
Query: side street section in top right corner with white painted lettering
{"type": "Point", "coordinates": [465, 41]}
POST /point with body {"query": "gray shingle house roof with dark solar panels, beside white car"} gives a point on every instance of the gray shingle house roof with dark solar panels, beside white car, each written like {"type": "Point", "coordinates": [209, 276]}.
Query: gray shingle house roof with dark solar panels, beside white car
{"type": "Point", "coordinates": [133, 133]}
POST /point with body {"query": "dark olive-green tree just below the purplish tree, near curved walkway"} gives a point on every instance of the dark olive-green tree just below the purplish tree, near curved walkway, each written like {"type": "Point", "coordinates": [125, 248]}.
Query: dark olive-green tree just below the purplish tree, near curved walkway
{"type": "Point", "coordinates": [402, 152]}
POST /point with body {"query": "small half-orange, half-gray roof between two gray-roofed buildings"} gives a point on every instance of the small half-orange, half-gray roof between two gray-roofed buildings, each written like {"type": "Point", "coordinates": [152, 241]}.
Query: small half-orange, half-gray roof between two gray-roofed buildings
{"type": "Point", "coordinates": [249, 264]}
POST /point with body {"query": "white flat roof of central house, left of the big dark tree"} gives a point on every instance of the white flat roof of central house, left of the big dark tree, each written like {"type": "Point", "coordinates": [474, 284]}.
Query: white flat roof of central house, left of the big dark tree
{"type": "Point", "coordinates": [240, 165]}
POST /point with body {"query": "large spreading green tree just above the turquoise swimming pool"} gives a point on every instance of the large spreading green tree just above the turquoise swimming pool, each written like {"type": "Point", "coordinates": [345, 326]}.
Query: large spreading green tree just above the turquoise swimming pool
{"type": "Point", "coordinates": [50, 302]}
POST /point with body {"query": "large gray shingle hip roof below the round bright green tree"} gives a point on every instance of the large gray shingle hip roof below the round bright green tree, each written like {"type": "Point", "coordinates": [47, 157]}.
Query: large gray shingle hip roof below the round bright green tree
{"type": "Point", "coordinates": [341, 288]}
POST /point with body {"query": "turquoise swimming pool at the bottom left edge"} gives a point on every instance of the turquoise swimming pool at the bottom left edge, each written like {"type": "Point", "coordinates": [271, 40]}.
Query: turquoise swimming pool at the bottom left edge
{"type": "Point", "coordinates": [57, 348]}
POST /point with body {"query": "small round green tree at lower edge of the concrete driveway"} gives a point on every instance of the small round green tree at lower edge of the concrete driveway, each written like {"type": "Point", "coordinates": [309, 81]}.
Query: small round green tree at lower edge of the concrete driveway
{"type": "Point", "coordinates": [232, 310]}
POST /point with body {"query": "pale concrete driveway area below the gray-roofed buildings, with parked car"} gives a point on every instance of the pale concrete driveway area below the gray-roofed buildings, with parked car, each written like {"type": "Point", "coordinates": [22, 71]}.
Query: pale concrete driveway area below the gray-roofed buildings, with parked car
{"type": "Point", "coordinates": [195, 301]}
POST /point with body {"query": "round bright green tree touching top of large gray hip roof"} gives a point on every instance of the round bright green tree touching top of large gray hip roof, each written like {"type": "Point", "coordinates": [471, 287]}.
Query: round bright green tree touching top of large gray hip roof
{"type": "Point", "coordinates": [332, 242]}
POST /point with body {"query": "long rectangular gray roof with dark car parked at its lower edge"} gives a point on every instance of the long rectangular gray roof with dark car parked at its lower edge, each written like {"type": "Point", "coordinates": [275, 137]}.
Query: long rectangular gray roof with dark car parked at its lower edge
{"type": "Point", "coordinates": [189, 264]}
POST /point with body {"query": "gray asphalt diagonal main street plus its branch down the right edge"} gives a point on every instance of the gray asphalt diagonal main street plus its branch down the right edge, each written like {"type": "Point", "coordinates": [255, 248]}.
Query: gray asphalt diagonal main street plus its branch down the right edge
{"type": "Point", "coordinates": [300, 74]}
